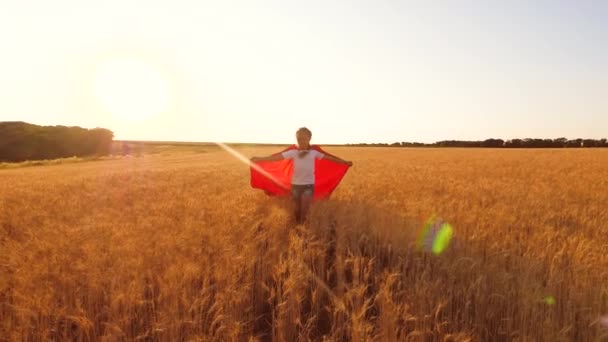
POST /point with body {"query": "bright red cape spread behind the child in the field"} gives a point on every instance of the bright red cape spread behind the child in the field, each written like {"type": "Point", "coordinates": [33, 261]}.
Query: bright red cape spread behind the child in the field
{"type": "Point", "coordinates": [274, 177]}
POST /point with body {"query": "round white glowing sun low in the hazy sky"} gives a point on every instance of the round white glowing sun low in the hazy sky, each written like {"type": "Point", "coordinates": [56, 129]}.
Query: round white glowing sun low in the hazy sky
{"type": "Point", "coordinates": [131, 89]}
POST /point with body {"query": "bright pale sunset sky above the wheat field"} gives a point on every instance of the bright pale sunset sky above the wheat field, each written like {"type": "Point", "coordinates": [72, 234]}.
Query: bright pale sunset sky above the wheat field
{"type": "Point", "coordinates": [351, 71]}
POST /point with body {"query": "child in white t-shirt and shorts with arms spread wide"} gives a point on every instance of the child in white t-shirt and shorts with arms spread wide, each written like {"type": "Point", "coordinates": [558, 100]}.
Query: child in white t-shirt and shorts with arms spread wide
{"type": "Point", "coordinates": [303, 178]}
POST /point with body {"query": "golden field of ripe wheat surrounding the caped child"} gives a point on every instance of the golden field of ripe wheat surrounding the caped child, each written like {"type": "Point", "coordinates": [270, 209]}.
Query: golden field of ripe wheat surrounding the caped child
{"type": "Point", "coordinates": [177, 246]}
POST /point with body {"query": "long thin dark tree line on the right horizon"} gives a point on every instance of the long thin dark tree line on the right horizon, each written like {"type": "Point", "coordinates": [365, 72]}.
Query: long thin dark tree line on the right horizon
{"type": "Point", "coordinates": [500, 143]}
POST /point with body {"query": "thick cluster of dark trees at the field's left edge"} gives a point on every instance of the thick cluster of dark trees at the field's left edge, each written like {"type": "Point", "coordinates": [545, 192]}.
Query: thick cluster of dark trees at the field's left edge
{"type": "Point", "coordinates": [21, 141]}
